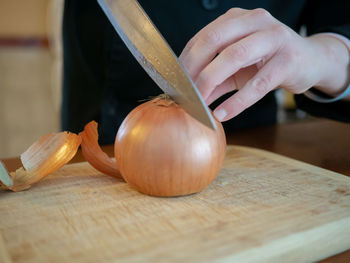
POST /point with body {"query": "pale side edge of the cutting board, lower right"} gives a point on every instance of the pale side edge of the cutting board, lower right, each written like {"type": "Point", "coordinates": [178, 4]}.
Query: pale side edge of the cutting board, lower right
{"type": "Point", "coordinates": [329, 232]}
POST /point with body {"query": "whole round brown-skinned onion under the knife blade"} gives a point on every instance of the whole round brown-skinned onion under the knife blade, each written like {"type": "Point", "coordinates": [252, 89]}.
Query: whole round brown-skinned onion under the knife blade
{"type": "Point", "coordinates": [161, 150]}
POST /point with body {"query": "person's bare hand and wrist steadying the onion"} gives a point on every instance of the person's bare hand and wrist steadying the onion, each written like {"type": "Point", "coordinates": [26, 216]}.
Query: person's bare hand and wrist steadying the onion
{"type": "Point", "coordinates": [252, 52]}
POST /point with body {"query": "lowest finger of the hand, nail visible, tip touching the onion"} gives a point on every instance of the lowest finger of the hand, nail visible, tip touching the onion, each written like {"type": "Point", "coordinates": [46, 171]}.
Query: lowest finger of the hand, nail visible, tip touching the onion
{"type": "Point", "coordinates": [268, 78]}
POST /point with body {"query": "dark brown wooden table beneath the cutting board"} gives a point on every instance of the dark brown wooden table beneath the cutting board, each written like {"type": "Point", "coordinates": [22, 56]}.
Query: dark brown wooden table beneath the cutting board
{"type": "Point", "coordinates": [319, 142]}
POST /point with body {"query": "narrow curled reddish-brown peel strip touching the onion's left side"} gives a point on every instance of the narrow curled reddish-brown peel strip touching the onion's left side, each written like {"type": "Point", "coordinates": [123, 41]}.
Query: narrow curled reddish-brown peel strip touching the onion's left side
{"type": "Point", "coordinates": [93, 152]}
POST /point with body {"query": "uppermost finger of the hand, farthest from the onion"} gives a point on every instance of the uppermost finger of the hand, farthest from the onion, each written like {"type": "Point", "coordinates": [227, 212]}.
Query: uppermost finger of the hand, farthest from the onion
{"type": "Point", "coordinates": [227, 29]}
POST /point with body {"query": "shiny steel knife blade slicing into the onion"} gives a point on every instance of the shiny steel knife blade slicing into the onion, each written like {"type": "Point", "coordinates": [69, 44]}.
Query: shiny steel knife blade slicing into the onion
{"type": "Point", "coordinates": [155, 56]}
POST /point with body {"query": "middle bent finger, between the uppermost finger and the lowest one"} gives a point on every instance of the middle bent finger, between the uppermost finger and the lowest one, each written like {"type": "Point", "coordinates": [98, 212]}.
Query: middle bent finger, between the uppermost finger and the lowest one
{"type": "Point", "coordinates": [248, 51]}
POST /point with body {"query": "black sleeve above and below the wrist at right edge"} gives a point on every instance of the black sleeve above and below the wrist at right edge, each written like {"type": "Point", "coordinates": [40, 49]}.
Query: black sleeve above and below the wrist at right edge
{"type": "Point", "coordinates": [326, 16]}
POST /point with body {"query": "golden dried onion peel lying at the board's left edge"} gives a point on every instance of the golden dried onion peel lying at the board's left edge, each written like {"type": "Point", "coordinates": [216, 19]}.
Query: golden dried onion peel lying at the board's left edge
{"type": "Point", "coordinates": [42, 158]}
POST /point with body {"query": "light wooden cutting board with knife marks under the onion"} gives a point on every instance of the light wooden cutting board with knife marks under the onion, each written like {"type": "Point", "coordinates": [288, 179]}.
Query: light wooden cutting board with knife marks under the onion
{"type": "Point", "coordinates": [261, 208]}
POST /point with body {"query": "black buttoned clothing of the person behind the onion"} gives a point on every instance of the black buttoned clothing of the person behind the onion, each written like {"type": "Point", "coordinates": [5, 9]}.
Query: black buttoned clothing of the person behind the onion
{"type": "Point", "coordinates": [102, 81]}
